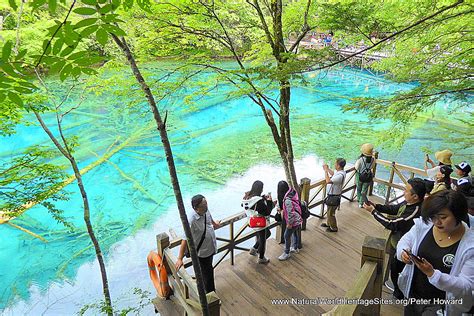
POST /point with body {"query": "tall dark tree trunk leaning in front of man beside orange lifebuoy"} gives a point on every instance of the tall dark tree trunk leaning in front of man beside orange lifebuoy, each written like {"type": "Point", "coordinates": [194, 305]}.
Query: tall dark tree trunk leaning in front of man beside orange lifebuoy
{"type": "Point", "coordinates": [171, 167]}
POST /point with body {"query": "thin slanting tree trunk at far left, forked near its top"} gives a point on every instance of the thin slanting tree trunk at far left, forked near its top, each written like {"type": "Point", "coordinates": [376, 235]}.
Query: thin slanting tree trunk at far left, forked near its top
{"type": "Point", "coordinates": [98, 252]}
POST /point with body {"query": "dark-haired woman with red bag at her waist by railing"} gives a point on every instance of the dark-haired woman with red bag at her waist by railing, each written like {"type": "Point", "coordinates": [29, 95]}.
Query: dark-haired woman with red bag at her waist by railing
{"type": "Point", "coordinates": [254, 203]}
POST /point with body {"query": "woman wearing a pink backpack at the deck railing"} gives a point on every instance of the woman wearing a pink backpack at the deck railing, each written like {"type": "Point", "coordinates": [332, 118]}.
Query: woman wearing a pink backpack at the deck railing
{"type": "Point", "coordinates": [291, 213]}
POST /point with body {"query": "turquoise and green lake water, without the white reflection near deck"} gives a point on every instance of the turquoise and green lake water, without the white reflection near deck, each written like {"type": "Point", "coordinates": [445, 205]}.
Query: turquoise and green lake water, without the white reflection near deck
{"type": "Point", "coordinates": [121, 207]}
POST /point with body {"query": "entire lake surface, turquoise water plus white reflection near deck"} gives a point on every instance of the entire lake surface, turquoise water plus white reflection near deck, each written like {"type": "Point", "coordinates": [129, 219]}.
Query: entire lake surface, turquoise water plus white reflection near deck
{"type": "Point", "coordinates": [216, 150]}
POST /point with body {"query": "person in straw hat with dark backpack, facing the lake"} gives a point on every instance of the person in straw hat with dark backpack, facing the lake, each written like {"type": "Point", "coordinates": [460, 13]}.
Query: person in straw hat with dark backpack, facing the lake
{"type": "Point", "coordinates": [364, 166]}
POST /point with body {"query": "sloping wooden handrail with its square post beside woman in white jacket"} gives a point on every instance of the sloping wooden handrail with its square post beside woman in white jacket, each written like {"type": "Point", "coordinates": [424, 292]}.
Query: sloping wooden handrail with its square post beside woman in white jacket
{"type": "Point", "coordinates": [368, 282]}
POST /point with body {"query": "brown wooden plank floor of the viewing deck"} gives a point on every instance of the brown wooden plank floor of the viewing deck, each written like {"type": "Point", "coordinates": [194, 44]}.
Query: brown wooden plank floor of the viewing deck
{"type": "Point", "coordinates": [325, 268]}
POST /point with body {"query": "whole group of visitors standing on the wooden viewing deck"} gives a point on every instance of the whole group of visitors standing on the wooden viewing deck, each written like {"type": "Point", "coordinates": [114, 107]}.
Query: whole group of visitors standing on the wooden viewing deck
{"type": "Point", "coordinates": [432, 240]}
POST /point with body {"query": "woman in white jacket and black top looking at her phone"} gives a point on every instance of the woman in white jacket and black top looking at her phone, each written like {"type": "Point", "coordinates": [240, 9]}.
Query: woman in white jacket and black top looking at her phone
{"type": "Point", "coordinates": [439, 275]}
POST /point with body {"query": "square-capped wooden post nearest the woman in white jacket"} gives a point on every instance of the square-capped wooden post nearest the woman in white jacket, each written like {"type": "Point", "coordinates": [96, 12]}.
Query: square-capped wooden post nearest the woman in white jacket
{"type": "Point", "coordinates": [373, 249]}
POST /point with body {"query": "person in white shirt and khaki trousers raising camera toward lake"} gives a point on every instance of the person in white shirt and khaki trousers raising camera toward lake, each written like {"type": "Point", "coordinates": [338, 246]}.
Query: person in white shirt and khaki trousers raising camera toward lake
{"type": "Point", "coordinates": [333, 200]}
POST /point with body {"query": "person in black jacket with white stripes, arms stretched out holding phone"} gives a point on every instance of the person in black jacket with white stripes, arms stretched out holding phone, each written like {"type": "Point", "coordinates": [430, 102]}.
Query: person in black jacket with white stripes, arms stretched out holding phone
{"type": "Point", "coordinates": [402, 220]}
